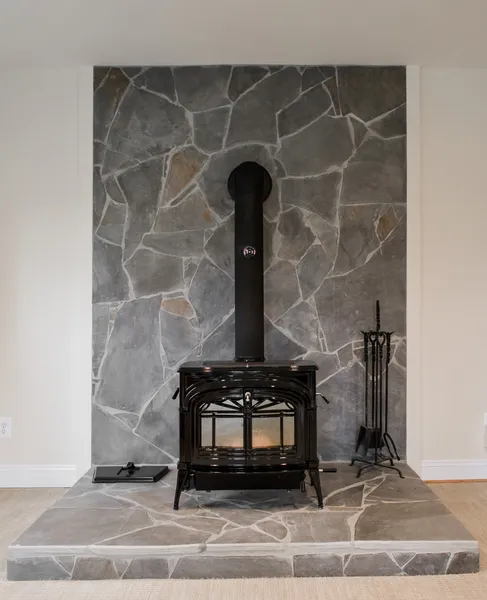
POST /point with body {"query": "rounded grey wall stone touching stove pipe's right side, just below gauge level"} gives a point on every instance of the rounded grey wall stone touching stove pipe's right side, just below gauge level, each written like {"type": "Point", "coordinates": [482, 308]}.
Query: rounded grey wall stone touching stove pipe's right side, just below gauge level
{"type": "Point", "coordinates": [281, 289]}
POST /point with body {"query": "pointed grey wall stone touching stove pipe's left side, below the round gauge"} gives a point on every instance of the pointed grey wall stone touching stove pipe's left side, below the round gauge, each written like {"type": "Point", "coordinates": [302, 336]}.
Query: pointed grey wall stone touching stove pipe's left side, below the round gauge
{"type": "Point", "coordinates": [211, 294]}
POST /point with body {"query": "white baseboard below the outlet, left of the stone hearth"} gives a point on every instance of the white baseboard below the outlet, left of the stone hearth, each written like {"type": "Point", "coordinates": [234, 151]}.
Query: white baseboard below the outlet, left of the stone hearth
{"type": "Point", "coordinates": [25, 476]}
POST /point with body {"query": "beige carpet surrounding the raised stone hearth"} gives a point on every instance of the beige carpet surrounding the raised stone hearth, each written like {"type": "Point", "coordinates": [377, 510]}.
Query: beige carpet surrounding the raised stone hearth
{"type": "Point", "coordinates": [468, 501]}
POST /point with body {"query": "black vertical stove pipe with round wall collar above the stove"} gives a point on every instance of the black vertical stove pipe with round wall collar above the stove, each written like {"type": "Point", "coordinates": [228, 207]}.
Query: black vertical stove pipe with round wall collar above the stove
{"type": "Point", "coordinates": [249, 185]}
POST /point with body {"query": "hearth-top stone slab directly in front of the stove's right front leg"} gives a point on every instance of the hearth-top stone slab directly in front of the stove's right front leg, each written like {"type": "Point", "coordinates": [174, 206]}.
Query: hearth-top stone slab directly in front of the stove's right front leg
{"type": "Point", "coordinates": [322, 526]}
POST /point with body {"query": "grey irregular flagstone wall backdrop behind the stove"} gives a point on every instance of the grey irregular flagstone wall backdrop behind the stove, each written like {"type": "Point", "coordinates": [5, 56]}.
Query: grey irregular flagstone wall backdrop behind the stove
{"type": "Point", "coordinates": [166, 139]}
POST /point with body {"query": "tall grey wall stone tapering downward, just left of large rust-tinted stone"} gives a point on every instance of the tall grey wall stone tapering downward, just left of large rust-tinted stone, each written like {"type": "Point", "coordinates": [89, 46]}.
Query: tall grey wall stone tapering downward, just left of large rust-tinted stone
{"type": "Point", "coordinates": [141, 187]}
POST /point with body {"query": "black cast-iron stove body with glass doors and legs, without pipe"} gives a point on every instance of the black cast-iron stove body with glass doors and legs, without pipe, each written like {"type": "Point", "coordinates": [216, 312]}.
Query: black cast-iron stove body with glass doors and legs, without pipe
{"type": "Point", "coordinates": [247, 426]}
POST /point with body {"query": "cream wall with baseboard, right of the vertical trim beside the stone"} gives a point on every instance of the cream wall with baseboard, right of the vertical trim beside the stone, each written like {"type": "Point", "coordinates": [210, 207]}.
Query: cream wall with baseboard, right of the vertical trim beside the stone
{"type": "Point", "coordinates": [454, 272]}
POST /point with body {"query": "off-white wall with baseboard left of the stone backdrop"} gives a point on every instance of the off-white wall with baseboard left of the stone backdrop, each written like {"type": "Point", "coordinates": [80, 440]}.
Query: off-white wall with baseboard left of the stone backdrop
{"type": "Point", "coordinates": [45, 302]}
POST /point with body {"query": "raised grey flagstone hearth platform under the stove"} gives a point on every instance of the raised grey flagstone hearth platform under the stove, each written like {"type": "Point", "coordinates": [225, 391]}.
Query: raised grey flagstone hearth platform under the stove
{"type": "Point", "coordinates": [377, 525]}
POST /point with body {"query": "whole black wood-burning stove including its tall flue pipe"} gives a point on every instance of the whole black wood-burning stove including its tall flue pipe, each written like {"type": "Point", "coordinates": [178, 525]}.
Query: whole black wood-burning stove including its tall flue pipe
{"type": "Point", "coordinates": [248, 424]}
